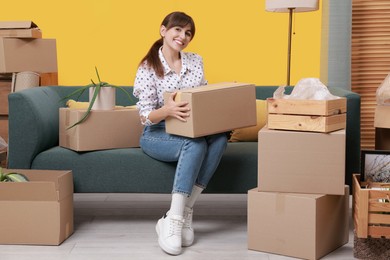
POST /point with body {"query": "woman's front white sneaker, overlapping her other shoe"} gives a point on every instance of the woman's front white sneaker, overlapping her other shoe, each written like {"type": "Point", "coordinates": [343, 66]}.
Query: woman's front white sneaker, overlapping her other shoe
{"type": "Point", "coordinates": [169, 229]}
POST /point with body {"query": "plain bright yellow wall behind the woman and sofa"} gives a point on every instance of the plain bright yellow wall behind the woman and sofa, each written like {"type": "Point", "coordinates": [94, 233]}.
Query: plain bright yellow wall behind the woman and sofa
{"type": "Point", "coordinates": [238, 40]}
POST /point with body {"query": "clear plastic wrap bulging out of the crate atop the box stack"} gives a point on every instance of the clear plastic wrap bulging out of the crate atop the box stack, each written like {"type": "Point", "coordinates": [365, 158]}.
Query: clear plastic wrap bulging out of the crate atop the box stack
{"type": "Point", "coordinates": [307, 88]}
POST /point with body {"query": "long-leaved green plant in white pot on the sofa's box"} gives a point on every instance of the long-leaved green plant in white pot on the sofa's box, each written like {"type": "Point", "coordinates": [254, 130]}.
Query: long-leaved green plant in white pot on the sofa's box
{"type": "Point", "coordinates": [101, 96]}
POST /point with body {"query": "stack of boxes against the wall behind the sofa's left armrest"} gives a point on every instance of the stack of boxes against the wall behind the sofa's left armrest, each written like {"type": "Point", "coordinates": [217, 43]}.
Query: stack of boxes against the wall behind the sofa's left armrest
{"type": "Point", "coordinates": [22, 49]}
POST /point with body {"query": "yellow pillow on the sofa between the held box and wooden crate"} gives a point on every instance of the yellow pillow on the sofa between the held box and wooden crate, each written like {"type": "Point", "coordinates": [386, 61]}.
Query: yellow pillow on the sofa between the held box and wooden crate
{"type": "Point", "coordinates": [249, 134]}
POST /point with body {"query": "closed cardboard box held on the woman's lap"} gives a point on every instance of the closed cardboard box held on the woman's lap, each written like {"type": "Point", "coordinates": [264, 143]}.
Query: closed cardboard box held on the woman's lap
{"type": "Point", "coordinates": [215, 108]}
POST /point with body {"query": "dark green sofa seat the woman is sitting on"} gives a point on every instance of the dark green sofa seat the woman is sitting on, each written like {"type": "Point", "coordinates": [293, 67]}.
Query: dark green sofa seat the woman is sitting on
{"type": "Point", "coordinates": [131, 170]}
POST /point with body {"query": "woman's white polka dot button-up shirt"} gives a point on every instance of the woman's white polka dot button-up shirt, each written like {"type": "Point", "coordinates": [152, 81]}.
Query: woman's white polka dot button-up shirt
{"type": "Point", "coordinates": [149, 88]}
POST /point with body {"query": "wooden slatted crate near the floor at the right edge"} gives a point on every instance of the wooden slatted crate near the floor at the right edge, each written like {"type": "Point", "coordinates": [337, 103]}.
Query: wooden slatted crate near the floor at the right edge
{"type": "Point", "coordinates": [371, 209]}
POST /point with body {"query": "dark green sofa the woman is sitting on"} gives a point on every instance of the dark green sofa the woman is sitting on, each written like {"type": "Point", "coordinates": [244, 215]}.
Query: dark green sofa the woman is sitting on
{"type": "Point", "coordinates": [33, 144]}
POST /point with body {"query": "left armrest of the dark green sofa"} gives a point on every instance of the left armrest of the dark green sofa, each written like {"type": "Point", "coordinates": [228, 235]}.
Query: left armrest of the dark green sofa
{"type": "Point", "coordinates": [33, 124]}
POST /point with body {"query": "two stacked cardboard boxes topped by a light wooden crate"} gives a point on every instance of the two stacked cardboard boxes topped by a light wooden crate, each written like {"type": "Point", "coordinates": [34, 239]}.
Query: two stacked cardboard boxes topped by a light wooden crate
{"type": "Point", "coordinates": [300, 207]}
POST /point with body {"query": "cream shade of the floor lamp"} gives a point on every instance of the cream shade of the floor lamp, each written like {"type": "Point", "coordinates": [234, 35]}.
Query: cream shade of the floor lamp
{"type": "Point", "coordinates": [284, 6]}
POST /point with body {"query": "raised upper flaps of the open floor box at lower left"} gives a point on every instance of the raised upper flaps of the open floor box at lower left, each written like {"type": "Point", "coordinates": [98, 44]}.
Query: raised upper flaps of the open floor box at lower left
{"type": "Point", "coordinates": [43, 185]}
